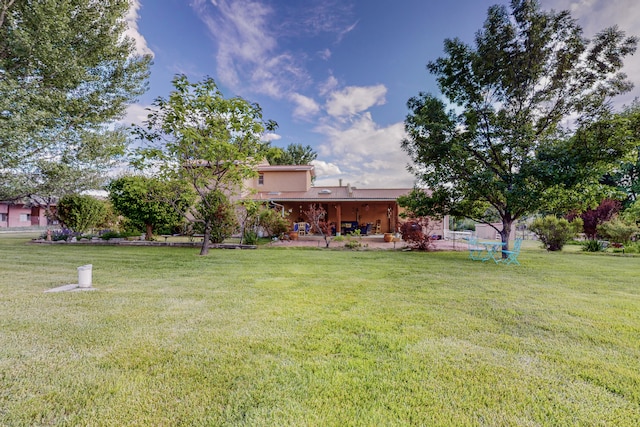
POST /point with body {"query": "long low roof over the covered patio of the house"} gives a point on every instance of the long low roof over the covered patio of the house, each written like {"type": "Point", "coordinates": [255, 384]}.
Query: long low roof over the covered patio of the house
{"type": "Point", "coordinates": [334, 194]}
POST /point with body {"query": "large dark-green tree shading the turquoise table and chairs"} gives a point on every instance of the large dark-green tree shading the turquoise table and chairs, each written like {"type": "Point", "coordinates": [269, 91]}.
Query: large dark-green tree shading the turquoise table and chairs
{"type": "Point", "coordinates": [527, 112]}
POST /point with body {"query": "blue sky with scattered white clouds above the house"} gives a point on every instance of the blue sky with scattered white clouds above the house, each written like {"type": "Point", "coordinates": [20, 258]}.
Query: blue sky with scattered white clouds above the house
{"type": "Point", "coordinates": [334, 74]}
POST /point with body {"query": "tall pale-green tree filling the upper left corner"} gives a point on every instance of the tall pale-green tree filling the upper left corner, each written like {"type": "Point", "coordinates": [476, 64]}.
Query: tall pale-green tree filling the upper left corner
{"type": "Point", "coordinates": [67, 72]}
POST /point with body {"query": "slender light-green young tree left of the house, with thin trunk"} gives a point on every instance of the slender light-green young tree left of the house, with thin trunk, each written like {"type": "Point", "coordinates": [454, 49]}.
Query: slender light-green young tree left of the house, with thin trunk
{"type": "Point", "coordinates": [210, 142]}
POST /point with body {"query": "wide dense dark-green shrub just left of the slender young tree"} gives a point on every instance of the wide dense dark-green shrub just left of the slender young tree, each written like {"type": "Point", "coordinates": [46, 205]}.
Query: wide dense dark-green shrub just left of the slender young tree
{"type": "Point", "coordinates": [150, 203]}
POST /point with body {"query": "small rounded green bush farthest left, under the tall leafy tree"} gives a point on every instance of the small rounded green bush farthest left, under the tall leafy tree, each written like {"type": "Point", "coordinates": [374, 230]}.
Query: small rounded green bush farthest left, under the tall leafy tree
{"type": "Point", "coordinates": [80, 213]}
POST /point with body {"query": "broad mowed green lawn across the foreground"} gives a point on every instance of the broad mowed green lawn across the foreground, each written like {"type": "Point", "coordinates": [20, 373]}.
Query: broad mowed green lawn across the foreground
{"type": "Point", "coordinates": [314, 337]}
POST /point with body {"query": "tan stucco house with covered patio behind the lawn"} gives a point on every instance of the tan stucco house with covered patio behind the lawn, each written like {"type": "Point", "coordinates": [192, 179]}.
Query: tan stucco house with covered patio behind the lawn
{"type": "Point", "coordinates": [291, 189]}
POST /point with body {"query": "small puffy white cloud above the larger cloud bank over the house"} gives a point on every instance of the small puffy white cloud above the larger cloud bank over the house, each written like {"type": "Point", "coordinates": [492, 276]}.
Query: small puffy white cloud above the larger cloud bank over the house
{"type": "Point", "coordinates": [355, 99]}
